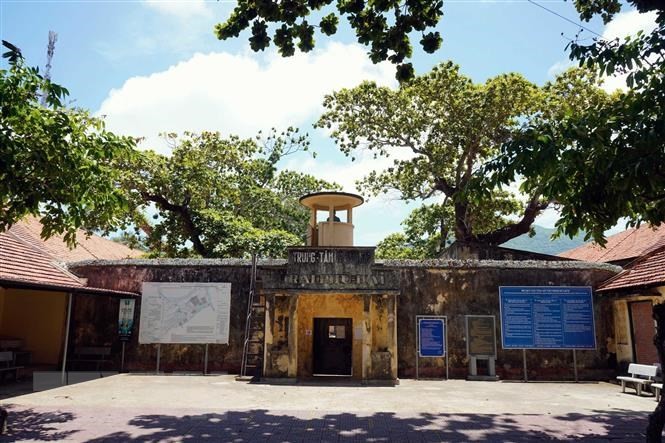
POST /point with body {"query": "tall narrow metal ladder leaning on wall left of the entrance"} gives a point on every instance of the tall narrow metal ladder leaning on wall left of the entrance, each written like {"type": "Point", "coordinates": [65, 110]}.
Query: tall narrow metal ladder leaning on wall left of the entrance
{"type": "Point", "coordinates": [252, 350]}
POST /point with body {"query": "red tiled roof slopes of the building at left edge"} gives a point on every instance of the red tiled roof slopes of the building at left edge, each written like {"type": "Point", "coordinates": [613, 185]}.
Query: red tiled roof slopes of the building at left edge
{"type": "Point", "coordinates": [27, 260]}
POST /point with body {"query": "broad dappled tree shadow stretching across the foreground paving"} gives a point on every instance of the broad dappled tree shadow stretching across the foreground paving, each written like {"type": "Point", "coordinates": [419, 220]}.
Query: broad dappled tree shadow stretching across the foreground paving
{"type": "Point", "coordinates": [262, 425]}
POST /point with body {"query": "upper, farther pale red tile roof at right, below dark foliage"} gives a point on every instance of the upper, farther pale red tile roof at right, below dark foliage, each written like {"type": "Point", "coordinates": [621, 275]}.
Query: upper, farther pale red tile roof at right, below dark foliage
{"type": "Point", "coordinates": [625, 245]}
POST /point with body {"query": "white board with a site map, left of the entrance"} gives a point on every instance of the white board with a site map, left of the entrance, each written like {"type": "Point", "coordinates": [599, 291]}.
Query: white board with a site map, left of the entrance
{"type": "Point", "coordinates": [185, 313]}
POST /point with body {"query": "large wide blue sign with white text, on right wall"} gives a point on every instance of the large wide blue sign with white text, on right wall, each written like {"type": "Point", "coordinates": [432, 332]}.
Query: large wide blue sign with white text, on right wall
{"type": "Point", "coordinates": [547, 317]}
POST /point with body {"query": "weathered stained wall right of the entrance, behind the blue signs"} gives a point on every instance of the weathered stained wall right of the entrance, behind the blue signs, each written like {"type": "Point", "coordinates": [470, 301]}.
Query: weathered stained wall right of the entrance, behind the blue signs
{"type": "Point", "coordinates": [456, 291]}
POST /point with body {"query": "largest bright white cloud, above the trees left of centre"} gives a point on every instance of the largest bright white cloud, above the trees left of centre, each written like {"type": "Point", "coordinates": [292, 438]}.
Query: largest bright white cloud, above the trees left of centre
{"type": "Point", "coordinates": [238, 93]}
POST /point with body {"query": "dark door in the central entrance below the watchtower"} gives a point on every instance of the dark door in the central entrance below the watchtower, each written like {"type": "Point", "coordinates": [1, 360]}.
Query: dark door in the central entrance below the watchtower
{"type": "Point", "coordinates": [332, 346]}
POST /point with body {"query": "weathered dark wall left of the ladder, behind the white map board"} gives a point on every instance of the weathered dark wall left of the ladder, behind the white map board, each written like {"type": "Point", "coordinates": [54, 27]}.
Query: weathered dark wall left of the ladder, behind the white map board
{"type": "Point", "coordinates": [88, 313]}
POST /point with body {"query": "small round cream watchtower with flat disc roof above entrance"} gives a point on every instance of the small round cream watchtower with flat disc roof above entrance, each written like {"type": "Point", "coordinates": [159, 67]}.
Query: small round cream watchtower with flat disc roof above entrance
{"type": "Point", "coordinates": [333, 230]}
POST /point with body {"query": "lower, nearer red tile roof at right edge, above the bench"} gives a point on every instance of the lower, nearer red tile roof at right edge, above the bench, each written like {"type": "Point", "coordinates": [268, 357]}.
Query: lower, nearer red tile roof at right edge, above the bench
{"type": "Point", "coordinates": [646, 271]}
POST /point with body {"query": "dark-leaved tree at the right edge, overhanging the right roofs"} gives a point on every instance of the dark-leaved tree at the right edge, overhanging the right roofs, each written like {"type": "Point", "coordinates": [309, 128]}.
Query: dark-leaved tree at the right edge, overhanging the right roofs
{"type": "Point", "coordinates": [631, 144]}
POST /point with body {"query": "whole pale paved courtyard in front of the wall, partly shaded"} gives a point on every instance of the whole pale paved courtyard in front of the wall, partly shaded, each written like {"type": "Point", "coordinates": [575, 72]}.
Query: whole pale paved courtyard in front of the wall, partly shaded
{"type": "Point", "coordinates": [216, 408]}
